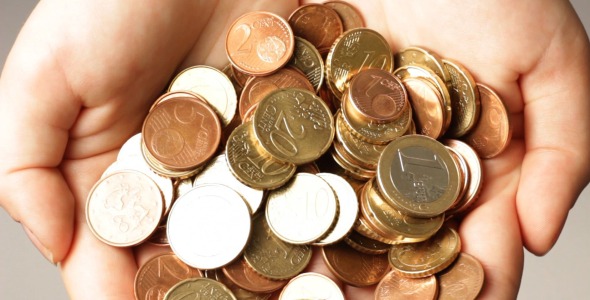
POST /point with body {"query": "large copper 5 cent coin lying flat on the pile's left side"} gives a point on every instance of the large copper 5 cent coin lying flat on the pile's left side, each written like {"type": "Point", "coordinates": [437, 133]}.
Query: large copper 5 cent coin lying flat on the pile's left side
{"type": "Point", "coordinates": [181, 133]}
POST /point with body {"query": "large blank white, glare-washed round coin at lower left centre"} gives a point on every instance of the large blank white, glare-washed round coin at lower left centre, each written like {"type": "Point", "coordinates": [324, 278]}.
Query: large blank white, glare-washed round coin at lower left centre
{"type": "Point", "coordinates": [191, 234]}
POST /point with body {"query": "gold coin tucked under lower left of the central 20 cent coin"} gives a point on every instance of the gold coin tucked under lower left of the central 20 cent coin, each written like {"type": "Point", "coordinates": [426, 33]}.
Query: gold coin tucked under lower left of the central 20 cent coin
{"type": "Point", "coordinates": [253, 166]}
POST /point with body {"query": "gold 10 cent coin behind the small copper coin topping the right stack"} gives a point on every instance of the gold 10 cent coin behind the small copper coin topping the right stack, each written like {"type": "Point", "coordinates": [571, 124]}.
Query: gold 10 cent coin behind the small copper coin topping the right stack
{"type": "Point", "coordinates": [355, 50]}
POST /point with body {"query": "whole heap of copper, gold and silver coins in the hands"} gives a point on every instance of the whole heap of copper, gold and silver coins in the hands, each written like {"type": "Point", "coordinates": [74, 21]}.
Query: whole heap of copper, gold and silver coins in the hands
{"type": "Point", "coordinates": [335, 145]}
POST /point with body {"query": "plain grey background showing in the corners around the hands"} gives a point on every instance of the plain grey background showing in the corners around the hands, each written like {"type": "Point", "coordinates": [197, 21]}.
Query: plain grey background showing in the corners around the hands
{"type": "Point", "coordinates": [24, 274]}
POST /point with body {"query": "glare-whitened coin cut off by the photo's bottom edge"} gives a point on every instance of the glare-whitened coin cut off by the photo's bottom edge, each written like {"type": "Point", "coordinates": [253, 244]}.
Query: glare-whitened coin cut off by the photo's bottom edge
{"type": "Point", "coordinates": [311, 286]}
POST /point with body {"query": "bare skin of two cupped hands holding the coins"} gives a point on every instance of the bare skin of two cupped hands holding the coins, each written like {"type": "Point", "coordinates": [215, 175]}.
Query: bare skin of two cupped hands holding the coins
{"type": "Point", "coordinates": [82, 75]}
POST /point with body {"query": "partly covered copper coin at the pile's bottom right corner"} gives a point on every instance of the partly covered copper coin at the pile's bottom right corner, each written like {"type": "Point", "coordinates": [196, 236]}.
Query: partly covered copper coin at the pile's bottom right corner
{"type": "Point", "coordinates": [462, 280]}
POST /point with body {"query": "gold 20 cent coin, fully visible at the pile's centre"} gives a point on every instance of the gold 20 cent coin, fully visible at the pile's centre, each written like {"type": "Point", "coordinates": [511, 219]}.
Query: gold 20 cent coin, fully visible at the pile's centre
{"type": "Point", "coordinates": [294, 125]}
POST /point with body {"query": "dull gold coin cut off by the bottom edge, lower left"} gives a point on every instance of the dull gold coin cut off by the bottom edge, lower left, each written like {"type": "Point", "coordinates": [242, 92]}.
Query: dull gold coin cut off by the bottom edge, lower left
{"type": "Point", "coordinates": [200, 288]}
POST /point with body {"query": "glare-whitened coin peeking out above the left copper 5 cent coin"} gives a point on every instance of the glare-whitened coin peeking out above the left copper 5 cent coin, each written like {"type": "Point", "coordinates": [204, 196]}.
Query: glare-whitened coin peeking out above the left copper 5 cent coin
{"type": "Point", "coordinates": [214, 86]}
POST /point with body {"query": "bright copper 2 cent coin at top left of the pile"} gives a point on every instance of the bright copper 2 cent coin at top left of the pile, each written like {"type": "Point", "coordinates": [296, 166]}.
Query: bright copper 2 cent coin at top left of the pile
{"type": "Point", "coordinates": [259, 43]}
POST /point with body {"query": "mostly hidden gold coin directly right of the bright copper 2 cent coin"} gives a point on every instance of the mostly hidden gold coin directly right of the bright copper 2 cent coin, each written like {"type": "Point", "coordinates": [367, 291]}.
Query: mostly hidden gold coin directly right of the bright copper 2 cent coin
{"type": "Point", "coordinates": [308, 60]}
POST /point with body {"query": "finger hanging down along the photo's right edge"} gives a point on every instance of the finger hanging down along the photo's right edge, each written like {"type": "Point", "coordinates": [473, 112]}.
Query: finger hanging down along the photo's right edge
{"type": "Point", "coordinates": [557, 120]}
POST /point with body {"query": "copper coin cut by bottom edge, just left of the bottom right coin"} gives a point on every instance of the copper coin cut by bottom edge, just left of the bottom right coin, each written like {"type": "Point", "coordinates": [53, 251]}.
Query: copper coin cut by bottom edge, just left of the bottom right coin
{"type": "Point", "coordinates": [393, 286]}
